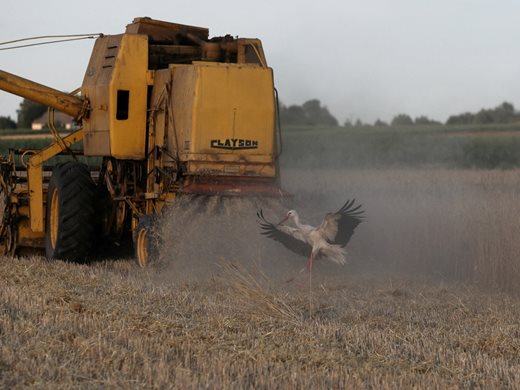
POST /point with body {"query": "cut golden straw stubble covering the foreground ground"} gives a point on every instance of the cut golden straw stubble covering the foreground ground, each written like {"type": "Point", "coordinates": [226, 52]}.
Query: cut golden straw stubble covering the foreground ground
{"type": "Point", "coordinates": [111, 326]}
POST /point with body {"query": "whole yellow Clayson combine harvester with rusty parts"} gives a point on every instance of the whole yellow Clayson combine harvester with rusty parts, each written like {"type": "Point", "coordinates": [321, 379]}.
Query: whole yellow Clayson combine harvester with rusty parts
{"type": "Point", "coordinates": [168, 111]}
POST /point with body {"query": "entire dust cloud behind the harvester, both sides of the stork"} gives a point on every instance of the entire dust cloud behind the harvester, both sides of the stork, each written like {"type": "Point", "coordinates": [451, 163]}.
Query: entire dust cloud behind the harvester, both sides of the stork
{"type": "Point", "coordinates": [436, 223]}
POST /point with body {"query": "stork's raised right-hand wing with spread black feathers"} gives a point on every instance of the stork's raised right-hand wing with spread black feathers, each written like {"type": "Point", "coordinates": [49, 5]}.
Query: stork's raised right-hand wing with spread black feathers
{"type": "Point", "coordinates": [339, 227]}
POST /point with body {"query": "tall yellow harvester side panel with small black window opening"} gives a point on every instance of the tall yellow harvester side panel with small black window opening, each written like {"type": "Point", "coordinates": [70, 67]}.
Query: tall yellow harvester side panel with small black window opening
{"type": "Point", "coordinates": [116, 84]}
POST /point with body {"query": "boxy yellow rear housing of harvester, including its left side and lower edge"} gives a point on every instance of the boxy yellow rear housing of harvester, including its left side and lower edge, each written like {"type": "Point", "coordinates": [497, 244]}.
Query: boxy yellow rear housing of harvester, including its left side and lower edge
{"type": "Point", "coordinates": [224, 113]}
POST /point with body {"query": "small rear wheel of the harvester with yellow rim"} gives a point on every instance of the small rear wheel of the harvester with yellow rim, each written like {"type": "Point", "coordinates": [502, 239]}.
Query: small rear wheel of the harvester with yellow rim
{"type": "Point", "coordinates": [147, 241]}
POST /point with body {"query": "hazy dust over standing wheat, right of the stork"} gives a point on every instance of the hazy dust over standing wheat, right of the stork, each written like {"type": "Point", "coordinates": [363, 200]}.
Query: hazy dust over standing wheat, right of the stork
{"type": "Point", "coordinates": [447, 224]}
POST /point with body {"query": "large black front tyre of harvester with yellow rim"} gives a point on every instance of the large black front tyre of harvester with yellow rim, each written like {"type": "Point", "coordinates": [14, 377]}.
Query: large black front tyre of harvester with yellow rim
{"type": "Point", "coordinates": [70, 218]}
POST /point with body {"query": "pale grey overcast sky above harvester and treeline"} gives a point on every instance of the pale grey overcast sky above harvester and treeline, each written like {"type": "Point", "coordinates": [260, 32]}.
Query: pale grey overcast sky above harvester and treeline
{"type": "Point", "coordinates": [363, 59]}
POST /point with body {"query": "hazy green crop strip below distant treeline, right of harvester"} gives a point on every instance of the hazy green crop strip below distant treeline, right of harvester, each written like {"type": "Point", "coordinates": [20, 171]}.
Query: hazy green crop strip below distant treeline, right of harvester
{"type": "Point", "coordinates": [416, 146]}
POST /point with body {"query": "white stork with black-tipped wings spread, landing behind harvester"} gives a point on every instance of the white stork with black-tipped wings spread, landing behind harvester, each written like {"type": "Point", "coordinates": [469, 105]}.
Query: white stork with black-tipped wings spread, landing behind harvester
{"type": "Point", "coordinates": [328, 240]}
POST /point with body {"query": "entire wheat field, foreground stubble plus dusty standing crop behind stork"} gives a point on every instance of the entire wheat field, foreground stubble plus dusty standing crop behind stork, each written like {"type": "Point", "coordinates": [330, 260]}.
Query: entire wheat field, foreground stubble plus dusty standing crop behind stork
{"type": "Point", "coordinates": [429, 298]}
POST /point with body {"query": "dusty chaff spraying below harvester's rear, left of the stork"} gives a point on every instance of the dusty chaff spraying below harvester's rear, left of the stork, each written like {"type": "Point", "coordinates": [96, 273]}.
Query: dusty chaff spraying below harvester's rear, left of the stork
{"type": "Point", "coordinates": [202, 233]}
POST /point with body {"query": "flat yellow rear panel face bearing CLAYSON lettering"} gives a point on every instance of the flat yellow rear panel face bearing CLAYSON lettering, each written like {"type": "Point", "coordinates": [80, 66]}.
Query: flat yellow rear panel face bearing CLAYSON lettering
{"type": "Point", "coordinates": [234, 111]}
